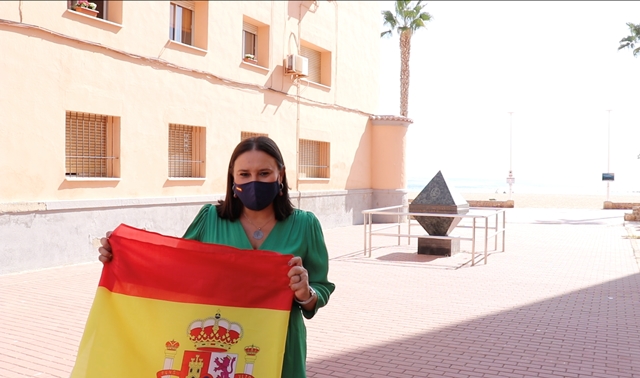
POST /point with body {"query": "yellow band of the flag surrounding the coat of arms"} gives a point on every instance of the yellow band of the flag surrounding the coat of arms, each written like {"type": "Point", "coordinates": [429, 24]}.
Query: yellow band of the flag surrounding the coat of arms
{"type": "Point", "coordinates": [125, 343]}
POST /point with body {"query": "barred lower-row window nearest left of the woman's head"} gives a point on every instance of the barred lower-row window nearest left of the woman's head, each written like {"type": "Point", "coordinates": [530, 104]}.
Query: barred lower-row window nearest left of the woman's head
{"type": "Point", "coordinates": [186, 151]}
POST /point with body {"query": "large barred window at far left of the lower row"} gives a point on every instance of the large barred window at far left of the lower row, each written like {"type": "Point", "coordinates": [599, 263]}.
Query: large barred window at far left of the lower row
{"type": "Point", "coordinates": [92, 144]}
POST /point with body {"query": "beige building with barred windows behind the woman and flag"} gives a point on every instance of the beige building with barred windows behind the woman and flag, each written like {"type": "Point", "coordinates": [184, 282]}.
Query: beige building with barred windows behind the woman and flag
{"type": "Point", "coordinates": [129, 115]}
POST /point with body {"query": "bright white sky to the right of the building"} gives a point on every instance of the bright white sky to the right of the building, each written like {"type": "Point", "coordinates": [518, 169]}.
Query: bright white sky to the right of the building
{"type": "Point", "coordinates": [554, 65]}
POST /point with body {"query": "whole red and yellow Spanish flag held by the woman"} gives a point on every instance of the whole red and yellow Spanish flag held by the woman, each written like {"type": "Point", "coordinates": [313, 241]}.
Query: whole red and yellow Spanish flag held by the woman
{"type": "Point", "coordinates": [169, 307]}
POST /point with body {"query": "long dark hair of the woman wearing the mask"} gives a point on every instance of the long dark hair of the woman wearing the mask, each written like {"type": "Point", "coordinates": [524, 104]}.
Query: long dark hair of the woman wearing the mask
{"type": "Point", "coordinates": [231, 207]}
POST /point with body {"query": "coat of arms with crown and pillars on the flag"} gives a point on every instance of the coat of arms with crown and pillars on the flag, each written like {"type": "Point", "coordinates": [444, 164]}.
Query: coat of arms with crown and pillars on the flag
{"type": "Point", "coordinates": [213, 339]}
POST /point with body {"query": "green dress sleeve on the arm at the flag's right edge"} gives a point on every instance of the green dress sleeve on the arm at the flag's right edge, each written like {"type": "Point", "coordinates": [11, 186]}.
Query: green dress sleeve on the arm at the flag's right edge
{"type": "Point", "coordinates": [316, 262]}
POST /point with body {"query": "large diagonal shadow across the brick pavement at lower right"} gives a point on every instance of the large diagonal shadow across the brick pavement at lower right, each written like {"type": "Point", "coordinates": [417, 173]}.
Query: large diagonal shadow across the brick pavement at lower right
{"type": "Point", "coordinates": [590, 332]}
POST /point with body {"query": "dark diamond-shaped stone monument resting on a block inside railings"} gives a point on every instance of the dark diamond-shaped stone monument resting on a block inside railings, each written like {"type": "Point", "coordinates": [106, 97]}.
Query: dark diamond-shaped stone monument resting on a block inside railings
{"type": "Point", "coordinates": [439, 197]}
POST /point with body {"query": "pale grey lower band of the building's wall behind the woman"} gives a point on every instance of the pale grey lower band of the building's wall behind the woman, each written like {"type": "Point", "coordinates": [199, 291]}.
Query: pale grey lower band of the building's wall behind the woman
{"type": "Point", "coordinates": [47, 234]}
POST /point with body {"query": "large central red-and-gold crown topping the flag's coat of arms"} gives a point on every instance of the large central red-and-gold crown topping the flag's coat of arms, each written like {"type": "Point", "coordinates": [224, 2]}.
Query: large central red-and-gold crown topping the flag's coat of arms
{"type": "Point", "coordinates": [214, 334]}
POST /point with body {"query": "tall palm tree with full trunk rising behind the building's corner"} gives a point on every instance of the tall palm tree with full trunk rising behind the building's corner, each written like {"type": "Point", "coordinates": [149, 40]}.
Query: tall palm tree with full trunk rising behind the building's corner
{"type": "Point", "coordinates": [406, 20]}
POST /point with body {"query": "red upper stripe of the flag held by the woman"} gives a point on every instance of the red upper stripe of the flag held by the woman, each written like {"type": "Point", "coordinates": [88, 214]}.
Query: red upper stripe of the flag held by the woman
{"type": "Point", "coordinates": [151, 265]}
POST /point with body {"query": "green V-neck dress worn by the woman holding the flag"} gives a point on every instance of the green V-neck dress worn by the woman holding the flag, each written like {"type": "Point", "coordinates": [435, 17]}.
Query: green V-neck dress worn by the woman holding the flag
{"type": "Point", "coordinates": [299, 235]}
